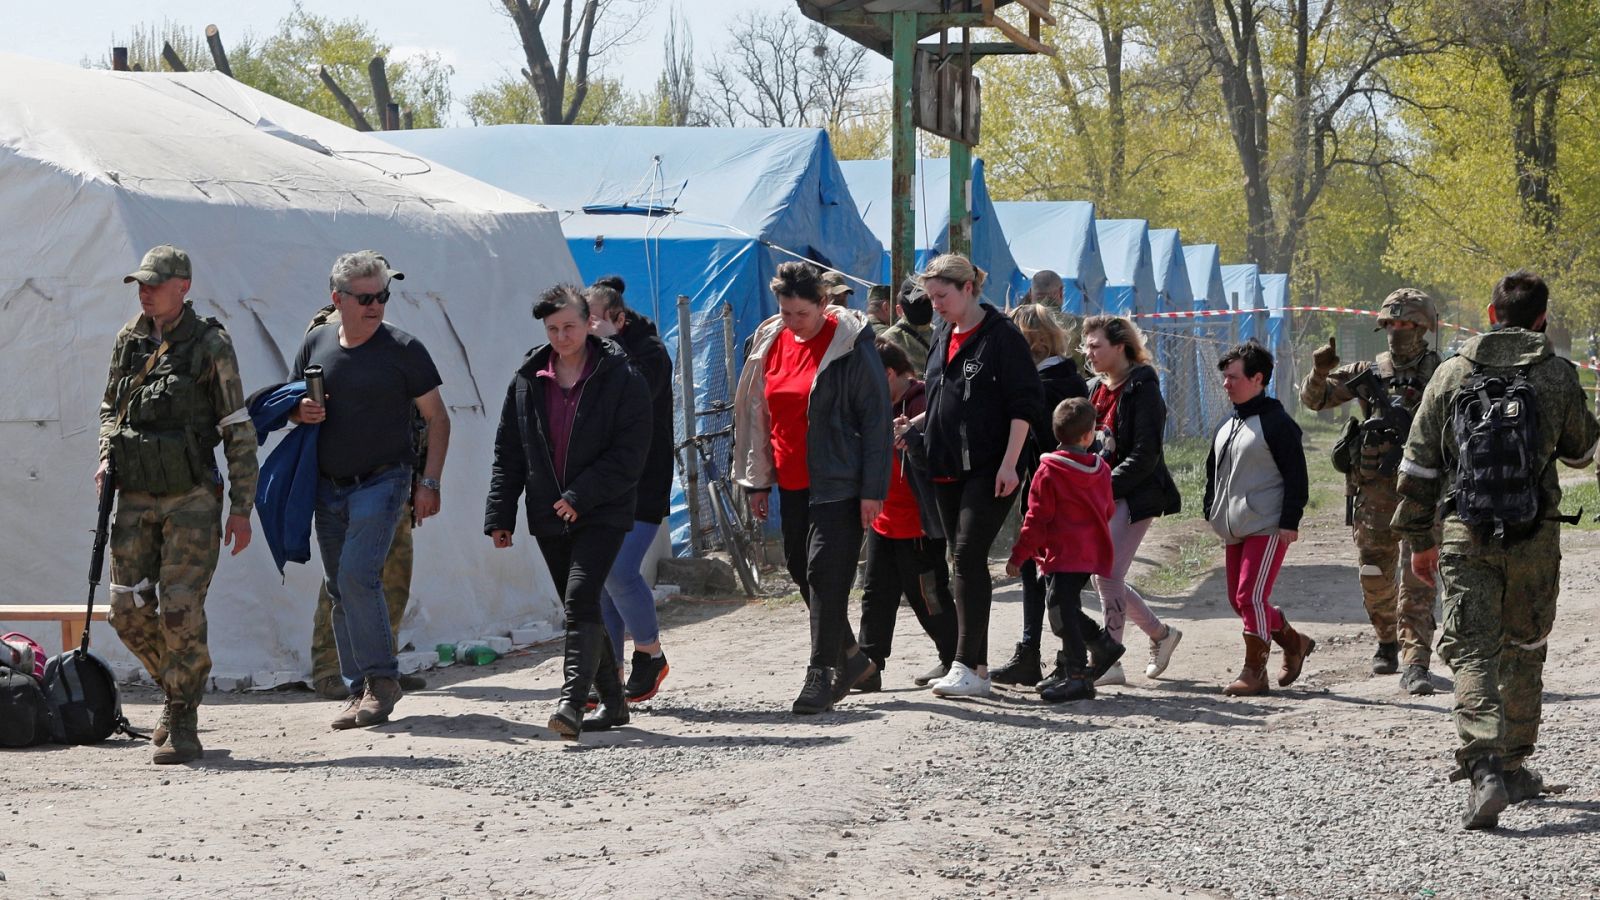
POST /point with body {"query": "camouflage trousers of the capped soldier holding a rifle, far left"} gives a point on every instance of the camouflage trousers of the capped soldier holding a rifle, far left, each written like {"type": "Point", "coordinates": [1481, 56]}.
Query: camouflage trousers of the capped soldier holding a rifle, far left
{"type": "Point", "coordinates": [164, 552]}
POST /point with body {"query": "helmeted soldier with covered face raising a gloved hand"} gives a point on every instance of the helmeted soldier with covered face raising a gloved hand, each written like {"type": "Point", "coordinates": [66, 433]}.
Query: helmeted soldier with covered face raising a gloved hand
{"type": "Point", "coordinates": [1404, 619]}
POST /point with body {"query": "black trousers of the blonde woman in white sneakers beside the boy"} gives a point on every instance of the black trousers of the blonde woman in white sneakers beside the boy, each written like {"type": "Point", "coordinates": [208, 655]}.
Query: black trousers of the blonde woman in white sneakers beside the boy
{"type": "Point", "coordinates": [972, 518]}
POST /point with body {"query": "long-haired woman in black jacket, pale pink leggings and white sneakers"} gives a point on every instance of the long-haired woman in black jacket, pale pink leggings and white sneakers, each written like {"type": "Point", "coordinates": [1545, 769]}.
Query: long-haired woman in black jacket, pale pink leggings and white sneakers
{"type": "Point", "coordinates": [1132, 420]}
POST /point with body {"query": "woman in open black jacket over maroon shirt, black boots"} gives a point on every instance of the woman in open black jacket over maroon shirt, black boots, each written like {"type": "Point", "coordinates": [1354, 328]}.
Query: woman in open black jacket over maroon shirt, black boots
{"type": "Point", "coordinates": [569, 441]}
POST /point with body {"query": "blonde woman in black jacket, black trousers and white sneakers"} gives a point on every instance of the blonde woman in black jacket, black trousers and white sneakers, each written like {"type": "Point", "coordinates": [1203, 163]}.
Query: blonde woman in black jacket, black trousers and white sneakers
{"type": "Point", "coordinates": [983, 395]}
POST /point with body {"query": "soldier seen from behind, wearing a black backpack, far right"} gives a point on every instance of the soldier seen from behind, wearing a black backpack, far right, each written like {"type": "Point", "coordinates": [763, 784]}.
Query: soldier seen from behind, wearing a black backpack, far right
{"type": "Point", "coordinates": [1498, 595]}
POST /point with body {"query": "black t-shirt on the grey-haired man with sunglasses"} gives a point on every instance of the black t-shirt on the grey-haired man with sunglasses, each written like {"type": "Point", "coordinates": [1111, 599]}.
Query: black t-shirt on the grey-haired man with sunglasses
{"type": "Point", "coordinates": [370, 393]}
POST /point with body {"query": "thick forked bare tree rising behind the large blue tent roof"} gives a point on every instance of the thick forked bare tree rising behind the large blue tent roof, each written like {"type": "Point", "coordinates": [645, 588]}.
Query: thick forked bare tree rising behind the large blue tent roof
{"type": "Point", "coordinates": [561, 81]}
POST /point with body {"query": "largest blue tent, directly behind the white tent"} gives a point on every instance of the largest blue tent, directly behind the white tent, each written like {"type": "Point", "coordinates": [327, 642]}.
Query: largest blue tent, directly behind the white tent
{"type": "Point", "coordinates": [706, 214]}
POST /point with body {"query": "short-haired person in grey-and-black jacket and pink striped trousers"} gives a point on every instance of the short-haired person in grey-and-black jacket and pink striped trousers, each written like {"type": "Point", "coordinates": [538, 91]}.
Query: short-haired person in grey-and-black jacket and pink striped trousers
{"type": "Point", "coordinates": [1255, 494]}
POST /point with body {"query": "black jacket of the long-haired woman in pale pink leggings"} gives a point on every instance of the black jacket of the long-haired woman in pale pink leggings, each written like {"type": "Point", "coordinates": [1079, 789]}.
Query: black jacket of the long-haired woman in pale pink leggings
{"type": "Point", "coordinates": [1140, 428]}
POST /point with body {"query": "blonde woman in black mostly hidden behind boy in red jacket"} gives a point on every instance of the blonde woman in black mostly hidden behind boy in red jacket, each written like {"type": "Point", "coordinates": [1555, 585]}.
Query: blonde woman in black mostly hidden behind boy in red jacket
{"type": "Point", "coordinates": [1060, 377]}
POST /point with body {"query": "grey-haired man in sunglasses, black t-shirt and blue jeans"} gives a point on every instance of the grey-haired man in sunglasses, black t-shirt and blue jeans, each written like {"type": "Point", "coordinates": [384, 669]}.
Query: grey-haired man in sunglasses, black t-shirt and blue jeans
{"type": "Point", "coordinates": [374, 377]}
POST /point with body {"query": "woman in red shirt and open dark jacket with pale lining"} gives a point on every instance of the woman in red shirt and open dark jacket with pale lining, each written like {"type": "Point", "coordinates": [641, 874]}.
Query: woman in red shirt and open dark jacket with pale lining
{"type": "Point", "coordinates": [812, 416]}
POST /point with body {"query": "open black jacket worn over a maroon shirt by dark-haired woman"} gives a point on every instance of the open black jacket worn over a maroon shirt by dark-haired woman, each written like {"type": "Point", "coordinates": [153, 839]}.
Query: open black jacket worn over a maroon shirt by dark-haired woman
{"type": "Point", "coordinates": [604, 456]}
